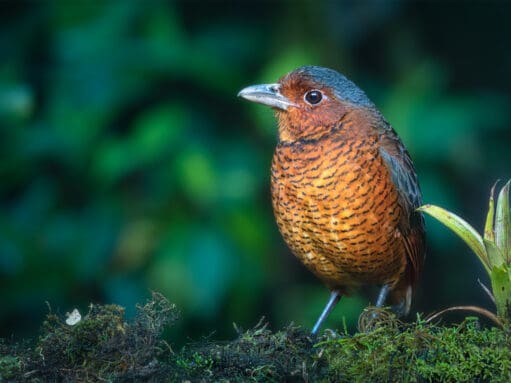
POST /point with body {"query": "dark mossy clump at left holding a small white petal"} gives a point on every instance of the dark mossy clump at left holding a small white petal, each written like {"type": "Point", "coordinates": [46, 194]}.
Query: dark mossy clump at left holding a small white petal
{"type": "Point", "coordinates": [102, 346]}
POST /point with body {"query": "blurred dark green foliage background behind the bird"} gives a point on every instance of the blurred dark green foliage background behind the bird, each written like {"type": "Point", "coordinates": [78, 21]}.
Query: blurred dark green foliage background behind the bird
{"type": "Point", "coordinates": [128, 164]}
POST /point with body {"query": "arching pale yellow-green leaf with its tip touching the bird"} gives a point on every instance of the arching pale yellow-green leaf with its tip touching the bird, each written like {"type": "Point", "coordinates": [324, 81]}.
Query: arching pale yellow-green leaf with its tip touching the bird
{"type": "Point", "coordinates": [462, 229]}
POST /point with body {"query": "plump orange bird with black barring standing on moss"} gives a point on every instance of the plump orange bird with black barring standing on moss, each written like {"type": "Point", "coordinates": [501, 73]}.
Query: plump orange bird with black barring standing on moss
{"type": "Point", "coordinates": [344, 188]}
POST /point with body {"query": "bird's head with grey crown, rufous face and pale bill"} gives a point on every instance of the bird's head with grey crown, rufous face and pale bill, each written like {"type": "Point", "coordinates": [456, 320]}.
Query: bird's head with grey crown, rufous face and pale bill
{"type": "Point", "coordinates": [309, 102]}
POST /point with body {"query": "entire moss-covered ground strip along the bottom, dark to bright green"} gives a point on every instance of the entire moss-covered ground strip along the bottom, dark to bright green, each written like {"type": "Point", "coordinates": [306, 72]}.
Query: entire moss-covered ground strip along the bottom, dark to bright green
{"type": "Point", "coordinates": [103, 347]}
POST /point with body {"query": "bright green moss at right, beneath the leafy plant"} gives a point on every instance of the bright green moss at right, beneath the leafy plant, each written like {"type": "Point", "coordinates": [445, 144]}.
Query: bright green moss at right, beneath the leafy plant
{"type": "Point", "coordinates": [420, 352]}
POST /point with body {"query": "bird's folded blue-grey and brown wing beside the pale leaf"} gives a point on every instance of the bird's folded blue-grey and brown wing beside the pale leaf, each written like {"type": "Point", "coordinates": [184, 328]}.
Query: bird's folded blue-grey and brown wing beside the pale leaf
{"type": "Point", "coordinates": [403, 175]}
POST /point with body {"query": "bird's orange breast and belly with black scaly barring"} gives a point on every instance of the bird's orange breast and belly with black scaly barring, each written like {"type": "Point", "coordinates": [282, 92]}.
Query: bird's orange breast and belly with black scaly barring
{"type": "Point", "coordinates": [338, 210]}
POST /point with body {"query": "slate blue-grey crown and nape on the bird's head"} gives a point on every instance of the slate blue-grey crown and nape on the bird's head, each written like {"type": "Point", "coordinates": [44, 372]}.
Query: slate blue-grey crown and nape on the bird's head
{"type": "Point", "coordinates": [343, 88]}
